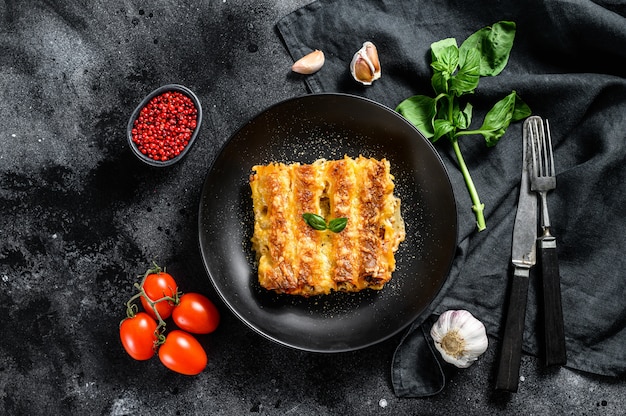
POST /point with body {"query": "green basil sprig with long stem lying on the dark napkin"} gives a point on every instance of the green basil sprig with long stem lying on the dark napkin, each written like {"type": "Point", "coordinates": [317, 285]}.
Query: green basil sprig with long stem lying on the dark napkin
{"type": "Point", "coordinates": [456, 72]}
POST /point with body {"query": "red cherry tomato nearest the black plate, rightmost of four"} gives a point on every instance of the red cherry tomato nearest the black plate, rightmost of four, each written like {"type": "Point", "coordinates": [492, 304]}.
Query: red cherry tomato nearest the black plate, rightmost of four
{"type": "Point", "coordinates": [196, 313]}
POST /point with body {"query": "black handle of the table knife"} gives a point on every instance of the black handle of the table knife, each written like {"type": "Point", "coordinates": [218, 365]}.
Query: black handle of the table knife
{"type": "Point", "coordinates": [511, 352]}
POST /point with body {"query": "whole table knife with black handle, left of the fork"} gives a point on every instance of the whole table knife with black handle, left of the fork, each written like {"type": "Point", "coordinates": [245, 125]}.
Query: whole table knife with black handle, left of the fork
{"type": "Point", "coordinates": [523, 257]}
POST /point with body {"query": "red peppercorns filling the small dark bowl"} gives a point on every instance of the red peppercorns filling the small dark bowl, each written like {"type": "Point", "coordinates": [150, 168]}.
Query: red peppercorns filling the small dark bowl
{"type": "Point", "coordinates": [165, 125]}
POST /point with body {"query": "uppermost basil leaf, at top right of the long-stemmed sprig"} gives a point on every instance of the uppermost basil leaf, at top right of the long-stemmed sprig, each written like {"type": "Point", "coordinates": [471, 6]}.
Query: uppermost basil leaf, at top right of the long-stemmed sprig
{"type": "Point", "coordinates": [494, 44]}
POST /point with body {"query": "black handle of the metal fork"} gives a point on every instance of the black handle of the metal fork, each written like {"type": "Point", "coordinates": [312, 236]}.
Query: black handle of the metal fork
{"type": "Point", "coordinates": [554, 329]}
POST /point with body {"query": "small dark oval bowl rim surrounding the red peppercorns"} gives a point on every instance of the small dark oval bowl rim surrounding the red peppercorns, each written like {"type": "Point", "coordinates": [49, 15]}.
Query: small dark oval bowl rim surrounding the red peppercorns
{"type": "Point", "coordinates": [165, 88]}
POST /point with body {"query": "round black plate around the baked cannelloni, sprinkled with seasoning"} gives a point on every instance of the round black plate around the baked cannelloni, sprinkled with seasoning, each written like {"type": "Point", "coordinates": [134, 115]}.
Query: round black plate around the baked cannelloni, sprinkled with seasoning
{"type": "Point", "coordinates": [302, 130]}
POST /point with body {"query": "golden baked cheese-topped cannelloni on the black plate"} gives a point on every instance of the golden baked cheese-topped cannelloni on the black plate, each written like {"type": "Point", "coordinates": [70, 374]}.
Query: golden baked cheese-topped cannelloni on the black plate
{"type": "Point", "coordinates": [294, 258]}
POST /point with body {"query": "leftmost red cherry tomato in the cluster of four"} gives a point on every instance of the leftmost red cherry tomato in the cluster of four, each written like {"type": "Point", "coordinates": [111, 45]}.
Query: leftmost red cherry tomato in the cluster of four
{"type": "Point", "coordinates": [138, 336]}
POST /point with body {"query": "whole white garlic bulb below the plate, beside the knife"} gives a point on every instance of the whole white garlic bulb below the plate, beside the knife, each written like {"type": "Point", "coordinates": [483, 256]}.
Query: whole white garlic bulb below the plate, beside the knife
{"type": "Point", "coordinates": [459, 337]}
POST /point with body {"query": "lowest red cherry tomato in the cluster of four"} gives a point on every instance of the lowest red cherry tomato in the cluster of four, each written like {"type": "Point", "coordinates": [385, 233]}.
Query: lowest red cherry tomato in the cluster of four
{"type": "Point", "coordinates": [182, 353]}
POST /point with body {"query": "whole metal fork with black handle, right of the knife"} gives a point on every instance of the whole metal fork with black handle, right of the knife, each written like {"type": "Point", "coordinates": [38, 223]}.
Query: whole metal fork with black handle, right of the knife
{"type": "Point", "coordinates": [543, 180]}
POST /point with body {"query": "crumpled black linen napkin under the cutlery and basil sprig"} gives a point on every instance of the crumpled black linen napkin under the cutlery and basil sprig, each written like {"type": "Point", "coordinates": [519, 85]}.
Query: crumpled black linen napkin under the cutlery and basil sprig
{"type": "Point", "coordinates": [565, 64]}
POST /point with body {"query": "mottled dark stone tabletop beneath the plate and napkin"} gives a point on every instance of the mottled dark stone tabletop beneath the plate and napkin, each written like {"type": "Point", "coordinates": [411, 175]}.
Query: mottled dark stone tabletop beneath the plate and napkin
{"type": "Point", "coordinates": [80, 219]}
